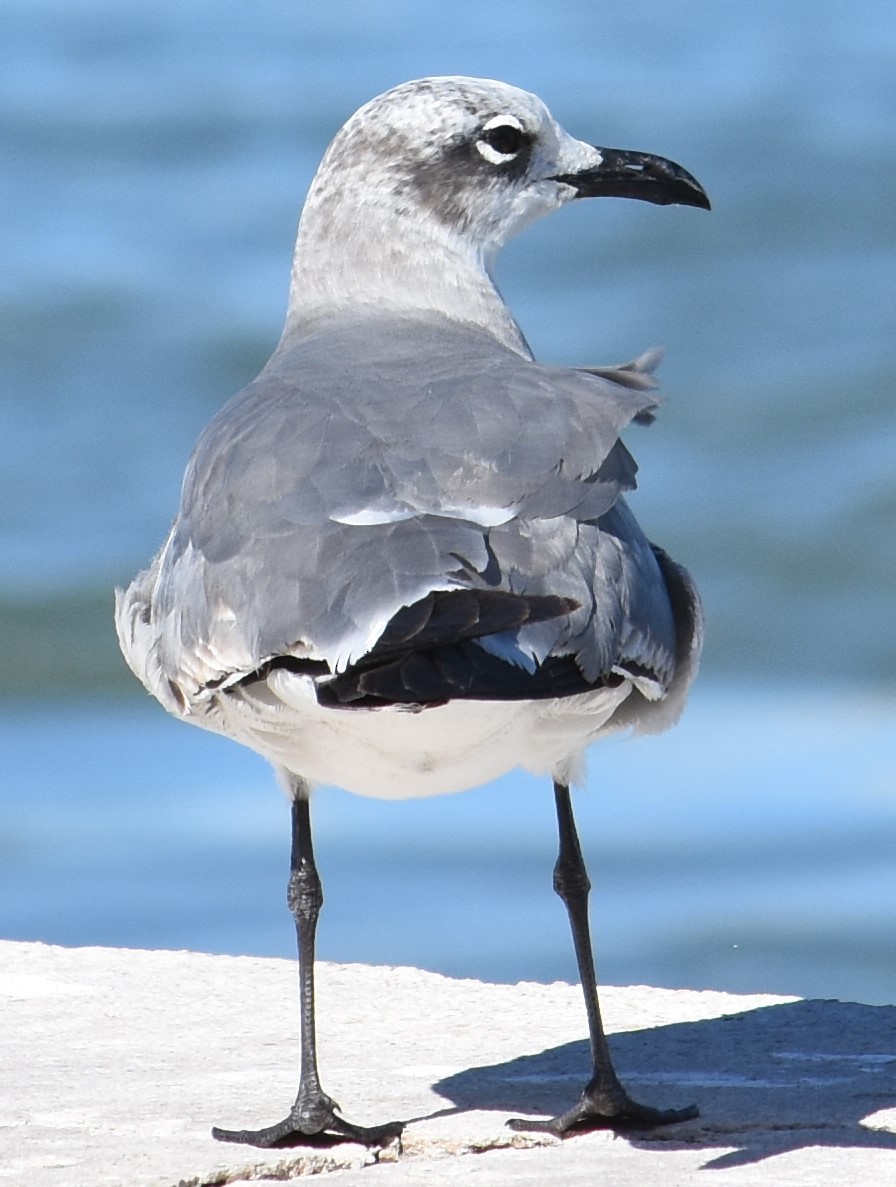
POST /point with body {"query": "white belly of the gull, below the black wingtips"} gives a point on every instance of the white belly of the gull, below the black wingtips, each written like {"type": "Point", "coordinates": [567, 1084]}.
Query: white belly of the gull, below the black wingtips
{"type": "Point", "coordinates": [399, 753]}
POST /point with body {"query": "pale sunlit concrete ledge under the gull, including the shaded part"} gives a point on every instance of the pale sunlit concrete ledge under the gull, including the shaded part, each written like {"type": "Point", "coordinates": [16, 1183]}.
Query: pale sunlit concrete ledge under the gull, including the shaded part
{"type": "Point", "coordinates": [117, 1063]}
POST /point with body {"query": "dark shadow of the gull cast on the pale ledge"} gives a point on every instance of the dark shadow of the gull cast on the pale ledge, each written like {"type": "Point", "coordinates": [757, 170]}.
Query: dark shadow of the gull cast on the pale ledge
{"type": "Point", "coordinates": [767, 1082]}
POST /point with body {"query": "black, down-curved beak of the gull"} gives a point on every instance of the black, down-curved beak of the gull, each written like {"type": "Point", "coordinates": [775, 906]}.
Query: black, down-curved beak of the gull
{"type": "Point", "coordinates": [638, 175]}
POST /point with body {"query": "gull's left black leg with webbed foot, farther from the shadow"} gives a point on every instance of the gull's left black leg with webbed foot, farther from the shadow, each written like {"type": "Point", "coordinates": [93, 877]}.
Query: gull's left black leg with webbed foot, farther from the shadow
{"type": "Point", "coordinates": [314, 1120]}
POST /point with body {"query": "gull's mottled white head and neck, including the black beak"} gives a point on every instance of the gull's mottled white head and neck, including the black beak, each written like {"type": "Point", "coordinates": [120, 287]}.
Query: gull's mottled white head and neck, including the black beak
{"type": "Point", "coordinates": [425, 183]}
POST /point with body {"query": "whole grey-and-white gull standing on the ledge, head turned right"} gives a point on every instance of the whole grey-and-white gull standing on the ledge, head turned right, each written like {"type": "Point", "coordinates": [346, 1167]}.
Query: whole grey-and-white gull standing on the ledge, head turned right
{"type": "Point", "coordinates": [404, 564]}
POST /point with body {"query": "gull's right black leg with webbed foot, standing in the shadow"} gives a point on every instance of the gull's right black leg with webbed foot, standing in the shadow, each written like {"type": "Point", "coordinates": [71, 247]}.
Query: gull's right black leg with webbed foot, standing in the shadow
{"type": "Point", "coordinates": [605, 1103]}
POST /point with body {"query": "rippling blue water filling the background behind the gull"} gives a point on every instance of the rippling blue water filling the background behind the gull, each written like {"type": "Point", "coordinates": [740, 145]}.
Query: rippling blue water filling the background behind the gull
{"type": "Point", "coordinates": [155, 162]}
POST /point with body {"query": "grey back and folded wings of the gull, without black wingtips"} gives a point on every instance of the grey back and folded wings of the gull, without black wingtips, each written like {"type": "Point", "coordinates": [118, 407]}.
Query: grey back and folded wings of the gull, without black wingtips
{"type": "Point", "coordinates": [373, 466]}
